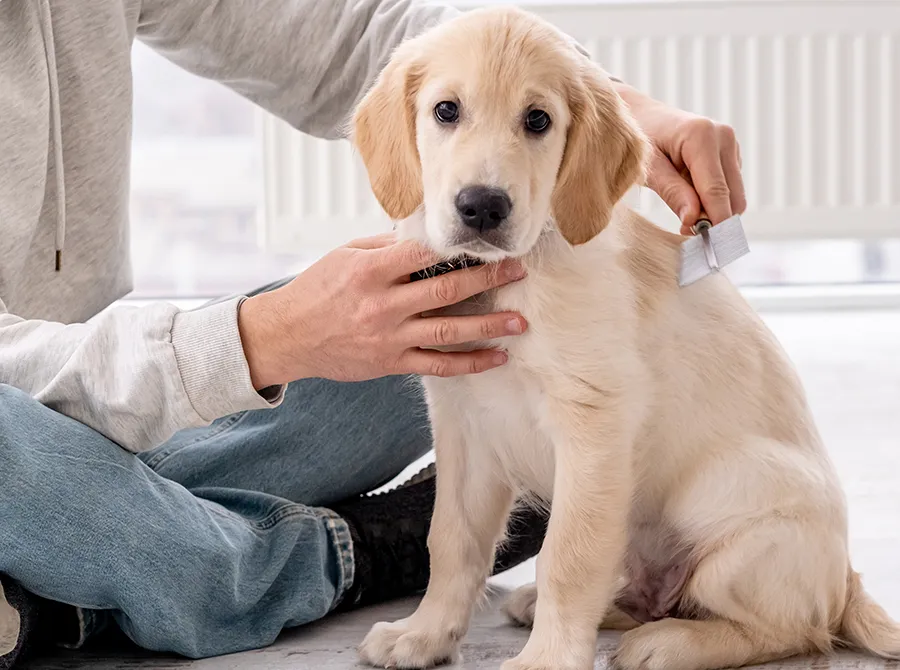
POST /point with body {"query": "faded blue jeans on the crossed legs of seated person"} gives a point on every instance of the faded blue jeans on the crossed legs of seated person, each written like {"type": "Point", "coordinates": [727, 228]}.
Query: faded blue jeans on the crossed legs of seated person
{"type": "Point", "coordinates": [215, 541]}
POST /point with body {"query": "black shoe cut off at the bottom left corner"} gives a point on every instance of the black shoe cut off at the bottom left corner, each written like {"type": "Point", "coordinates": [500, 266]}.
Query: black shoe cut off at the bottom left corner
{"type": "Point", "coordinates": [40, 622]}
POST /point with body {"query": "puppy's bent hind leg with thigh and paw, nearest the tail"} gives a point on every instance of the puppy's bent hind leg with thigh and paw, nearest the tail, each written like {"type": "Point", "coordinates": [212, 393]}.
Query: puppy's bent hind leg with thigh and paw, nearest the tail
{"type": "Point", "coordinates": [775, 590]}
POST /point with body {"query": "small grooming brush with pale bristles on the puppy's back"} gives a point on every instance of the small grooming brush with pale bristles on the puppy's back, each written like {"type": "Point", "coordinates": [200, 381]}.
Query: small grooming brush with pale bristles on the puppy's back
{"type": "Point", "coordinates": [711, 249]}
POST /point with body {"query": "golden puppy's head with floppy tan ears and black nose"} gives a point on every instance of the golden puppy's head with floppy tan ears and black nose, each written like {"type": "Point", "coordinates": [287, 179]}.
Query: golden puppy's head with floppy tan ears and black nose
{"type": "Point", "coordinates": [494, 123]}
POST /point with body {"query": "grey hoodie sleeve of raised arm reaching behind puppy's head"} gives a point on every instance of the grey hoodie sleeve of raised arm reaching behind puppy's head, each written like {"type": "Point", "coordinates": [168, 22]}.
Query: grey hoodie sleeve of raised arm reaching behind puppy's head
{"type": "Point", "coordinates": [306, 61]}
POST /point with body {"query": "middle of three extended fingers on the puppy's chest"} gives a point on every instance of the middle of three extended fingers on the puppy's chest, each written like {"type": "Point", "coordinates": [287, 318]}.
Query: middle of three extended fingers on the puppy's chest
{"type": "Point", "coordinates": [445, 331]}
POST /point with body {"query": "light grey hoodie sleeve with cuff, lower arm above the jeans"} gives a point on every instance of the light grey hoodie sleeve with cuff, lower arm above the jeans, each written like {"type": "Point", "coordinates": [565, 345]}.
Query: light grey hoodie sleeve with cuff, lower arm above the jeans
{"type": "Point", "coordinates": [136, 375]}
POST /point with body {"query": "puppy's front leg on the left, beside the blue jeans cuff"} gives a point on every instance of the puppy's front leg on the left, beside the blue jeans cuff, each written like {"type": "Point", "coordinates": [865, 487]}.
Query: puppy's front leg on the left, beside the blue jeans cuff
{"type": "Point", "coordinates": [471, 509]}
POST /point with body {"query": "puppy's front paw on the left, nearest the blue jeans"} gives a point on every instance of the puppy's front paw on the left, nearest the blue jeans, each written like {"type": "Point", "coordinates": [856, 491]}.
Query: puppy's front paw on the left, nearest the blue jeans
{"type": "Point", "coordinates": [403, 645]}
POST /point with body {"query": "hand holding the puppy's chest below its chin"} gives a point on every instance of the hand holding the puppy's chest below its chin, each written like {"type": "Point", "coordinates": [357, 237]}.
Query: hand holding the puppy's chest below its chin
{"type": "Point", "coordinates": [355, 315]}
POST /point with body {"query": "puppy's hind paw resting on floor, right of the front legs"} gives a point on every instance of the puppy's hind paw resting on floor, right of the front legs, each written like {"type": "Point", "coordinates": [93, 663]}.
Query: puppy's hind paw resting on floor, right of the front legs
{"type": "Point", "coordinates": [652, 647]}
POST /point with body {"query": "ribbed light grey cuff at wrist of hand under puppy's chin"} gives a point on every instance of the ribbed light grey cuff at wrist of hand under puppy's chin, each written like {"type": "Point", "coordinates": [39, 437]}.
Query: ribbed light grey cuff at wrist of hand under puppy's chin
{"type": "Point", "coordinates": [213, 367]}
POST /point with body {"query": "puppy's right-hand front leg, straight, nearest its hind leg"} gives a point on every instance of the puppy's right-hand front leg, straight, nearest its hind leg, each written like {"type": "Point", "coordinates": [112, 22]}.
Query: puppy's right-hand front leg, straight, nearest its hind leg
{"type": "Point", "coordinates": [586, 539]}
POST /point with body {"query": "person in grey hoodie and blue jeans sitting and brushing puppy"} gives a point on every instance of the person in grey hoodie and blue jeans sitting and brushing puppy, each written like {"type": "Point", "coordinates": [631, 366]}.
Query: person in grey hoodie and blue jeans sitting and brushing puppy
{"type": "Point", "coordinates": [146, 477]}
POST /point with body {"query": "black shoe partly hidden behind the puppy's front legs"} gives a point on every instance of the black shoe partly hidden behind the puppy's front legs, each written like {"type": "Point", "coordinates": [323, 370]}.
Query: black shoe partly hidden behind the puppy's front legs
{"type": "Point", "coordinates": [390, 533]}
